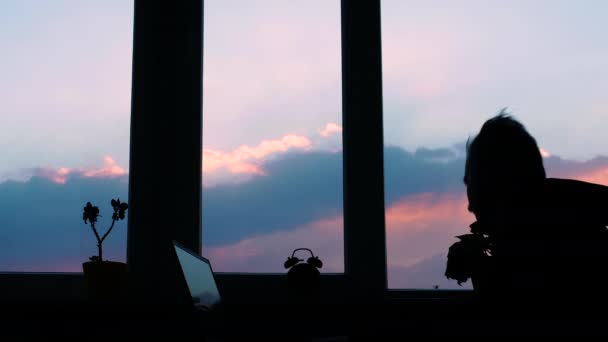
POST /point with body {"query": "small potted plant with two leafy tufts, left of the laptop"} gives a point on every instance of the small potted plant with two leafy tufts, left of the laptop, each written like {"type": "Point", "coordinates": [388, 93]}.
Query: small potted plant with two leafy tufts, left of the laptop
{"type": "Point", "coordinates": [104, 279]}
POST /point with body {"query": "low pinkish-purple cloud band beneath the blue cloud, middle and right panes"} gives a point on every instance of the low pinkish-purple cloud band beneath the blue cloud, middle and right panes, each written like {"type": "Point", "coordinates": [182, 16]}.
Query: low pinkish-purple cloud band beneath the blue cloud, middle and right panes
{"type": "Point", "coordinates": [418, 227]}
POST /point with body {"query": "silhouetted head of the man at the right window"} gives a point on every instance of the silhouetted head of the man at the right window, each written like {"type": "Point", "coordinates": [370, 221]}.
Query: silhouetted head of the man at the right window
{"type": "Point", "coordinates": [503, 165]}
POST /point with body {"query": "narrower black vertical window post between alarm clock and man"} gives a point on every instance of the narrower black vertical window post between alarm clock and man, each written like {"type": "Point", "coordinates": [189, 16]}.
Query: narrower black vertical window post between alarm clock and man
{"type": "Point", "coordinates": [364, 220]}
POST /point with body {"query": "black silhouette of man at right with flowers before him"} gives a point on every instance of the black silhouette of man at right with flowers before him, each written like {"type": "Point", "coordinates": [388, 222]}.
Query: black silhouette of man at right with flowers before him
{"type": "Point", "coordinates": [538, 242]}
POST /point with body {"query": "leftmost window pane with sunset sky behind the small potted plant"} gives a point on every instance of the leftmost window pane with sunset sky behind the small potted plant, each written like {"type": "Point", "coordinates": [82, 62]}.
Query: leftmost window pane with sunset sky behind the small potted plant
{"type": "Point", "coordinates": [65, 112]}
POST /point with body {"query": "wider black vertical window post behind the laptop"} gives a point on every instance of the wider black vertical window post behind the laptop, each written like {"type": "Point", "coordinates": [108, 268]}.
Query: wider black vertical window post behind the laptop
{"type": "Point", "coordinates": [166, 144]}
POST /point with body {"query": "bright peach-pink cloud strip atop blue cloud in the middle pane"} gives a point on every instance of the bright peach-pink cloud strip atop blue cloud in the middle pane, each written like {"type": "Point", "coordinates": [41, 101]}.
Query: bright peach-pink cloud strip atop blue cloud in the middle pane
{"type": "Point", "coordinates": [246, 159]}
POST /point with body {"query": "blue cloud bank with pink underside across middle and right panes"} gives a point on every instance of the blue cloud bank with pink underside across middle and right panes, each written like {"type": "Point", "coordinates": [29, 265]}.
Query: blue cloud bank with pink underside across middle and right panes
{"type": "Point", "coordinates": [251, 226]}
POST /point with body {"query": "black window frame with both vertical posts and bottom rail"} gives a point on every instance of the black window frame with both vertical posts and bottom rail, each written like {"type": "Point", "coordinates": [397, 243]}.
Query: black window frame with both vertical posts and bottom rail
{"type": "Point", "coordinates": [167, 78]}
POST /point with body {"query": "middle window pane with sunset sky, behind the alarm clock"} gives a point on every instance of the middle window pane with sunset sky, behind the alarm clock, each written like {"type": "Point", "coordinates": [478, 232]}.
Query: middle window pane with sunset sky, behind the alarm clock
{"type": "Point", "coordinates": [272, 145]}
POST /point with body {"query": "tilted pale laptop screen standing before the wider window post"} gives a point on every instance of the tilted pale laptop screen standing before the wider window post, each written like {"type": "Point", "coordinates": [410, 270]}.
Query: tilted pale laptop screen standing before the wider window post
{"type": "Point", "coordinates": [199, 277]}
